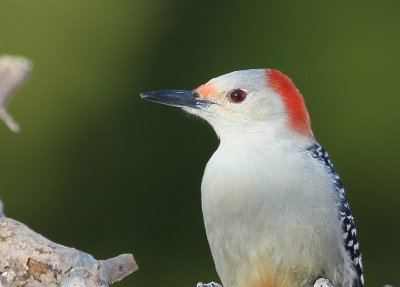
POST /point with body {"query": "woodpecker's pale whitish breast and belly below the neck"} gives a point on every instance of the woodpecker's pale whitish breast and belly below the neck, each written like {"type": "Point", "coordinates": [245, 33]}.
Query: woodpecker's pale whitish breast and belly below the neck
{"type": "Point", "coordinates": [262, 207]}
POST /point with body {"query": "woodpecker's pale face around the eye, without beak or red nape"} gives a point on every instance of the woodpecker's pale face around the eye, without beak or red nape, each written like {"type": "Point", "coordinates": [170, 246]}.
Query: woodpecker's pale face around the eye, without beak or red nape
{"type": "Point", "coordinates": [239, 98]}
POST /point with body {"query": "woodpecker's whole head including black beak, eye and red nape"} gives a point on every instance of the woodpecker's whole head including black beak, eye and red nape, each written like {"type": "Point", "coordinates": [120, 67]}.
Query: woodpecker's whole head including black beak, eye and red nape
{"type": "Point", "coordinates": [244, 101]}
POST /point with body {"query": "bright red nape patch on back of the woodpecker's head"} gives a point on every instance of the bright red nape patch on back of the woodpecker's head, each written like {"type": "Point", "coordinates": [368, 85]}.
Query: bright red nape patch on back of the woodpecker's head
{"type": "Point", "coordinates": [296, 109]}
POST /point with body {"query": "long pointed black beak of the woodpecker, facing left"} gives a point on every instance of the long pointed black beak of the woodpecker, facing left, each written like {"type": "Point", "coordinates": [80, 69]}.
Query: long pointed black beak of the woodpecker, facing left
{"type": "Point", "coordinates": [176, 98]}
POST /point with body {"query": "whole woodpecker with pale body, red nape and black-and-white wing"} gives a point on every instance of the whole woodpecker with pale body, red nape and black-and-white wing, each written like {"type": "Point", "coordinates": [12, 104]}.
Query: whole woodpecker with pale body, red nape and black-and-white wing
{"type": "Point", "coordinates": [274, 207]}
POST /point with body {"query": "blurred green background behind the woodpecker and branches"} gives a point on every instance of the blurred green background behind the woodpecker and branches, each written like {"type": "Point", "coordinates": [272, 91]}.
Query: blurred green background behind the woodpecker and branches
{"type": "Point", "coordinates": [98, 169]}
